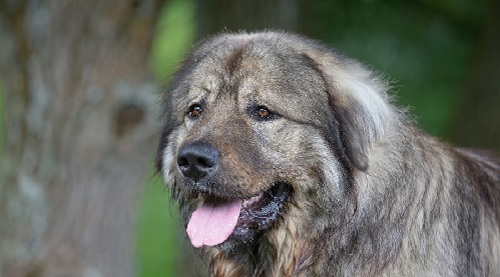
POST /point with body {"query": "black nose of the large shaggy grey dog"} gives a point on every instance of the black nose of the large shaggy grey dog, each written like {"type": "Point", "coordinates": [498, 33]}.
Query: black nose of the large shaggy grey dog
{"type": "Point", "coordinates": [197, 160]}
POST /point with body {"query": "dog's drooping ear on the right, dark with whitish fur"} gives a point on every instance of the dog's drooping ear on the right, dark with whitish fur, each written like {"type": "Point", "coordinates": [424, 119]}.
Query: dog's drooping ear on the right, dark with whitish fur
{"type": "Point", "coordinates": [358, 101]}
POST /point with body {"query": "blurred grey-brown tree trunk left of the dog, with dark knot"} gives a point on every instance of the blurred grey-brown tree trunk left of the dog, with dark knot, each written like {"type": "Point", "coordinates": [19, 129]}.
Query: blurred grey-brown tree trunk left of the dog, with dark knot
{"type": "Point", "coordinates": [78, 134]}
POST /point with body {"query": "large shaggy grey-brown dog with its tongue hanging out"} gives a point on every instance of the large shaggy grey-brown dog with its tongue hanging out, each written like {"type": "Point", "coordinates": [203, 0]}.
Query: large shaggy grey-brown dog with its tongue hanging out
{"type": "Point", "coordinates": [289, 159]}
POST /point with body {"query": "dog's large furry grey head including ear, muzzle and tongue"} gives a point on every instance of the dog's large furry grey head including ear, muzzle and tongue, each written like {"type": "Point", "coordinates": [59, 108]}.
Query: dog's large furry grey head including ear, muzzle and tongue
{"type": "Point", "coordinates": [266, 130]}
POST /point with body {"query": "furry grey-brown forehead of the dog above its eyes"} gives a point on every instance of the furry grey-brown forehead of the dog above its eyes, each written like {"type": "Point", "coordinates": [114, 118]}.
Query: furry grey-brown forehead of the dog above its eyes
{"type": "Point", "coordinates": [254, 68]}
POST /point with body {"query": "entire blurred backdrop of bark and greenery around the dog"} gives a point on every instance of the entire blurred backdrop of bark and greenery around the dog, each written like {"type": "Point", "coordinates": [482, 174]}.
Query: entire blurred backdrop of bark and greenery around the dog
{"type": "Point", "coordinates": [80, 90]}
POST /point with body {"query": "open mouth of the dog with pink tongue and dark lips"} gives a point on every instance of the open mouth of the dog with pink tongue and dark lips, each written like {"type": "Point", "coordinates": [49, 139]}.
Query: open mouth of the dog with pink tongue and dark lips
{"type": "Point", "coordinates": [226, 222]}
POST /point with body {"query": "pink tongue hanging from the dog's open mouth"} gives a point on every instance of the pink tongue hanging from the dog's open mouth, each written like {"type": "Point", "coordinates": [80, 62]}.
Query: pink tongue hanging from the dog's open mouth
{"type": "Point", "coordinates": [213, 223]}
